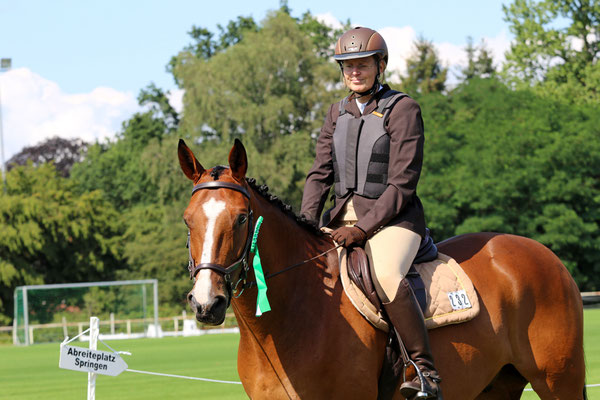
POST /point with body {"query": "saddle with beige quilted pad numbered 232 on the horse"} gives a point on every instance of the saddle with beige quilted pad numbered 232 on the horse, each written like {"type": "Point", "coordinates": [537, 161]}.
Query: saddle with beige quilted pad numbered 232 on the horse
{"type": "Point", "coordinates": [444, 279]}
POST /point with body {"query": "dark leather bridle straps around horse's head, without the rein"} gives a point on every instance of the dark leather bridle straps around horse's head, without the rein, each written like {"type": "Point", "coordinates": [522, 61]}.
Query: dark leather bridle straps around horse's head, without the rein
{"type": "Point", "coordinates": [243, 259]}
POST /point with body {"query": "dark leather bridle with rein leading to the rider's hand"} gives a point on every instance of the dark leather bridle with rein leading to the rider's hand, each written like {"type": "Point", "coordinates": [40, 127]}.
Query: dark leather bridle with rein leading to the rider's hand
{"type": "Point", "coordinates": [194, 268]}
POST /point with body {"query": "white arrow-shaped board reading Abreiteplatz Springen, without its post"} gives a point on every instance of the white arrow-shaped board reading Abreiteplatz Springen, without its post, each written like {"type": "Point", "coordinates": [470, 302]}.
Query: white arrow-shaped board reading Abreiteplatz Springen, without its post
{"type": "Point", "coordinates": [95, 361]}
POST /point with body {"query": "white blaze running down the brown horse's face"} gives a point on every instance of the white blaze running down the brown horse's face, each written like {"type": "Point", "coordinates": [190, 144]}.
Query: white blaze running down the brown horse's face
{"type": "Point", "coordinates": [202, 288]}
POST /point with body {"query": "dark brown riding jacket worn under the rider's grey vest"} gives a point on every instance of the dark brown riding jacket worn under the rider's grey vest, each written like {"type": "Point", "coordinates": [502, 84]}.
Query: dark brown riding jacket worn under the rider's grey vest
{"type": "Point", "coordinates": [399, 204]}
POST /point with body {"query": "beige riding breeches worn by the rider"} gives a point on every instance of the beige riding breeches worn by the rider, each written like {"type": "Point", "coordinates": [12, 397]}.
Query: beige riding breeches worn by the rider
{"type": "Point", "coordinates": [391, 252]}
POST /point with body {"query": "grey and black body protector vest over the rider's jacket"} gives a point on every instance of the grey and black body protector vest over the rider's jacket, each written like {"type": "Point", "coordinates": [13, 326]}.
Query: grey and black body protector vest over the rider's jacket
{"type": "Point", "coordinates": [361, 149]}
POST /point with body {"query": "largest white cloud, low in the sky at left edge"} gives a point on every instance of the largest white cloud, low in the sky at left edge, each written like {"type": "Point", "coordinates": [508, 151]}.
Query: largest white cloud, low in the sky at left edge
{"type": "Point", "coordinates": [34, 109]}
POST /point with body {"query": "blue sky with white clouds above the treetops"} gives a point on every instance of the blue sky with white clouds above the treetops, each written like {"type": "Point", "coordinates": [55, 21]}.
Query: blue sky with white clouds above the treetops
{"type": "Point", "coordinates": [78, 66]}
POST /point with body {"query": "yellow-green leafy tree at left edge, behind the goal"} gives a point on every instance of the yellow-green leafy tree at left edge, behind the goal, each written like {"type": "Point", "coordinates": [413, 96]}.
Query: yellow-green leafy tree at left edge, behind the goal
{"type": "Point", "coordinates": [50, 234]}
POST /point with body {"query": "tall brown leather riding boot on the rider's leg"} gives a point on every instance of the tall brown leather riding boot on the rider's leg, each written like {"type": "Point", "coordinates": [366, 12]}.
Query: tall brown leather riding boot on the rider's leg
{"type": "Point", "coordinates": [406, 316]}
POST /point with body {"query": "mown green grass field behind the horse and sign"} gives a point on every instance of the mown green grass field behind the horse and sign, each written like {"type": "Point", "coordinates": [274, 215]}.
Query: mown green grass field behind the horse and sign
{"type": "Point", "coordinates": [33, 373]}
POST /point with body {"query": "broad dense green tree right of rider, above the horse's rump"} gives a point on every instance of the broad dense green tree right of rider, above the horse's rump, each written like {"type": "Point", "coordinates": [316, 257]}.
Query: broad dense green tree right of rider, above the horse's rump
{"type": "Point", "coordinates": [515, 162]}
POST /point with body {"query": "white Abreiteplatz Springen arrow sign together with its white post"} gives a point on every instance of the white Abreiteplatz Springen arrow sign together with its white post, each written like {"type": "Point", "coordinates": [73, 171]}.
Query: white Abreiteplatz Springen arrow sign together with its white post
{"type": "Point", "coordinates": [92, 360]}
